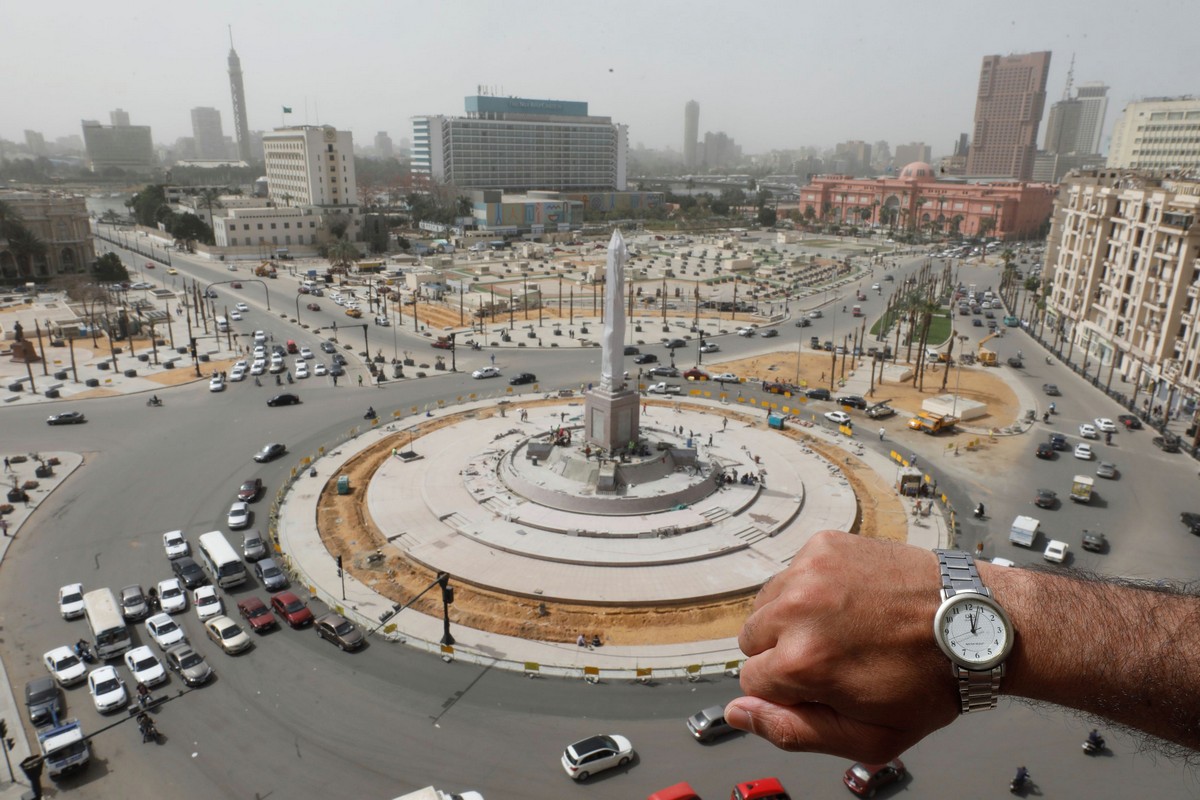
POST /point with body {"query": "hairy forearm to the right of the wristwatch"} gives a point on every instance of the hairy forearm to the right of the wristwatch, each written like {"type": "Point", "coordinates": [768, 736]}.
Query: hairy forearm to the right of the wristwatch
{"type": "Point", "coordinates": [1127, 654]}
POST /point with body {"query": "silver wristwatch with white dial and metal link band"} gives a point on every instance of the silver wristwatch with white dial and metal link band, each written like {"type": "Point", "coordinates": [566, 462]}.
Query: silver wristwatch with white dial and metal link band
{"type": "Point", "coordinates": [973, 630]}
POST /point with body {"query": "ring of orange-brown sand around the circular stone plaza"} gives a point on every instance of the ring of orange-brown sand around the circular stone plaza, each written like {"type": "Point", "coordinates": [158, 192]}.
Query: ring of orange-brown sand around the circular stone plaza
{"type": "Point", "coordinates": [347, 530]}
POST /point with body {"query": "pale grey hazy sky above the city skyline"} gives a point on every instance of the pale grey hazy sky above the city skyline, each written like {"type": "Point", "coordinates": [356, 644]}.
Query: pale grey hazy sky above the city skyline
{"type": "Point", "coordinates": [771, 75]}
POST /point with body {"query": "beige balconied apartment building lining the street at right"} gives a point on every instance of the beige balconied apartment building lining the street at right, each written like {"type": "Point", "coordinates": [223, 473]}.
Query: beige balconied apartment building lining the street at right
{"type": "Point", "coordinates": [1121, 264]}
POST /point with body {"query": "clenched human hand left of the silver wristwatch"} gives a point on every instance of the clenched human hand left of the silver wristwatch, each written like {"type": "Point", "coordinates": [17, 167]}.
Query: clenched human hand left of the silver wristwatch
{"type": "Point", "coordinates": [842, 652]}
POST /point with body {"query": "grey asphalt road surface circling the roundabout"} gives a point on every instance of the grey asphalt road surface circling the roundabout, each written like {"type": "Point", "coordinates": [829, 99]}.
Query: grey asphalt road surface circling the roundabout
{"type": "Point", "coordinates": [295, 718]}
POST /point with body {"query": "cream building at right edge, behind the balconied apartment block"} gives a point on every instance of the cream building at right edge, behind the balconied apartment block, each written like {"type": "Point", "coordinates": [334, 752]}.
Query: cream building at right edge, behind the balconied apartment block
{"type": "Point", "coordinates": [1157, 134]}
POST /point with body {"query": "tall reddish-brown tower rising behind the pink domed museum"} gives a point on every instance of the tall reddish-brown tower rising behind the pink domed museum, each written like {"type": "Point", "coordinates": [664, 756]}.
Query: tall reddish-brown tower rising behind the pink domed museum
{"type": "Point", "coordinates": [1009, 112]}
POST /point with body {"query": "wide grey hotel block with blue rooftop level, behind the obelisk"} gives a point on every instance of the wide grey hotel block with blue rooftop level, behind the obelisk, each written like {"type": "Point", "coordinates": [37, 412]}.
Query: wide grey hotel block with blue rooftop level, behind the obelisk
{"type": "Point", "coordinates": [517, 145]}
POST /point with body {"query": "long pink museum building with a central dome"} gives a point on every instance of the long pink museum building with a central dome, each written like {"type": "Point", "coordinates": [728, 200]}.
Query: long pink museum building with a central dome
{"type": "Point", "coordinates": [917, 200]}
